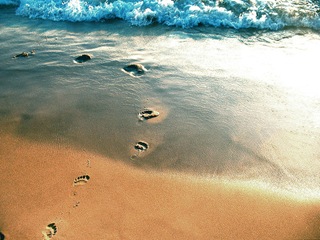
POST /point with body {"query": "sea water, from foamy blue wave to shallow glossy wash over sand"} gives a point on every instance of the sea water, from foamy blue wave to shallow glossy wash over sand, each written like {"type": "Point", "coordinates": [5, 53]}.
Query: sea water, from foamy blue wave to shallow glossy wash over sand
{"type": "Point", "coordinates": [236, 84]}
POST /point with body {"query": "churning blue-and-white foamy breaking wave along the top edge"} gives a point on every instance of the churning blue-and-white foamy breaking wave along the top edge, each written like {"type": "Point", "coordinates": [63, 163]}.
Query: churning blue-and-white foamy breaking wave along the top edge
{"type": "Point", "coordinates": [262, 14]}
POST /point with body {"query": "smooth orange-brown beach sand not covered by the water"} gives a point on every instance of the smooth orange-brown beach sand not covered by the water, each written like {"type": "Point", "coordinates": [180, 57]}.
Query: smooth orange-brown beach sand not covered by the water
{"type": "Point", "coordinates": [116, 201]}
